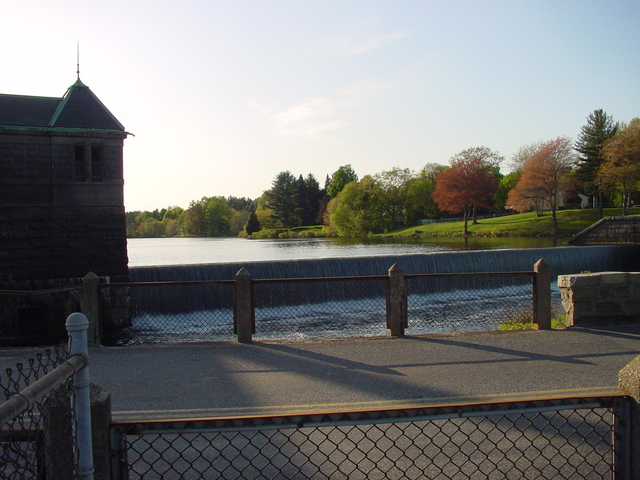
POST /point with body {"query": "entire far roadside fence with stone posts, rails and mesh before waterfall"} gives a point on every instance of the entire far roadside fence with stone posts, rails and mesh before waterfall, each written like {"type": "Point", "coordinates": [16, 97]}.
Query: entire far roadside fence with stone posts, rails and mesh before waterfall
{"type": "Point", "coordinates": [291, 308]}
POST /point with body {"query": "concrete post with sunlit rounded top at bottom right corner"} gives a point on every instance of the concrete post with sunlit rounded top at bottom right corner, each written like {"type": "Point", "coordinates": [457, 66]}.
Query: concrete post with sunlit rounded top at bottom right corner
{"type": "Point", "coordinates": [629, 384]}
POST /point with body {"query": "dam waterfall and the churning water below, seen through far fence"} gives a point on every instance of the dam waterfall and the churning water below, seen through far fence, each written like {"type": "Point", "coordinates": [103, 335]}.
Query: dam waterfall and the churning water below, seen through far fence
{"type": "Point", "coordinates": [166, 313]}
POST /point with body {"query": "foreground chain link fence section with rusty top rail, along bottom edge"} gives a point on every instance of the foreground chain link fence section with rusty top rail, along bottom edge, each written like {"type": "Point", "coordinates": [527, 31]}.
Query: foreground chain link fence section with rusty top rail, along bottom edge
{"type": "Point", "coordinates": [549, 439]}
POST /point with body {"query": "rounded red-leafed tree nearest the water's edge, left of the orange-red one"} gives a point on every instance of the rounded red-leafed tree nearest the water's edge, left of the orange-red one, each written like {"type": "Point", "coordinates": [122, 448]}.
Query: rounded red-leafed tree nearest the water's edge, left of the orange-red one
{"type": "Point", "coordinates": [469, 182]}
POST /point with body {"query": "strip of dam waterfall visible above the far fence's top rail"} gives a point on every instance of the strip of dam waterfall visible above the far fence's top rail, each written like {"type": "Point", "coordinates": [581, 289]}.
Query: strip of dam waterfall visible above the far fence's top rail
{"type": "Point", "coordinates": [563, 260]}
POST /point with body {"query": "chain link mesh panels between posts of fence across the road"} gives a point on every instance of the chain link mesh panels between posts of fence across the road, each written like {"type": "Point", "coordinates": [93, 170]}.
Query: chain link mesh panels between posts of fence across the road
{"type": "Point", "coordinates": [284, 309]}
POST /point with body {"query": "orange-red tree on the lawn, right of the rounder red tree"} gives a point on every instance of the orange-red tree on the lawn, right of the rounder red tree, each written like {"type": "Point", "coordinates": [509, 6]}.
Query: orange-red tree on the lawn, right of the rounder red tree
{"type": "Point", "coordinates": [545, 177]}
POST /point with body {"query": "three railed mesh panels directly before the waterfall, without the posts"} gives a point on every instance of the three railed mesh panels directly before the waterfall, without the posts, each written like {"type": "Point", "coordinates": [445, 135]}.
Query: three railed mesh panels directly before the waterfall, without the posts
{"type": "Point", "coordinates": [324, 307]}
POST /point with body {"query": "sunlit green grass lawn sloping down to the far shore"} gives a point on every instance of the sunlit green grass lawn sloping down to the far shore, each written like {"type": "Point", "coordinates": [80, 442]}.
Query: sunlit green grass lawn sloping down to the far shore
{"type": "Point", "coordinates": [570, 222]}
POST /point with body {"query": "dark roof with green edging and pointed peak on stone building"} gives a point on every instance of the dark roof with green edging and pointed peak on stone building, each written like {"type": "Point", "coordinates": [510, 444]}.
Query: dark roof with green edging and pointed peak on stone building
{"type": "Point", "coordinates": [78, 109]}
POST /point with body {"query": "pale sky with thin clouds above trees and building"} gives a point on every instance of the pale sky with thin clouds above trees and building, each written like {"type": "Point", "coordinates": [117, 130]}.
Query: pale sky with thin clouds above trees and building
{"type": "Point", "coordinates": [220, 95]}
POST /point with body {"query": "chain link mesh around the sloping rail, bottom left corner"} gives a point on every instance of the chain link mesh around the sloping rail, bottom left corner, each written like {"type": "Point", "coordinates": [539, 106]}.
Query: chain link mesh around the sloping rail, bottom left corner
{"type": "Point", "coordinates": [28, 450]}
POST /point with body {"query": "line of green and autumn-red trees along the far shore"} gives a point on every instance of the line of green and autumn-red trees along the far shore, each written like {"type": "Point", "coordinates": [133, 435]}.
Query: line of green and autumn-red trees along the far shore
{"type": "Point", "coordinates": [602, 167]}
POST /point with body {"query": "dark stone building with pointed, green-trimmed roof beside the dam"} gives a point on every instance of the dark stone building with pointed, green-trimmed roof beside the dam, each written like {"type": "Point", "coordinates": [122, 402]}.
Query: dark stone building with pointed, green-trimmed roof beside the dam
{"type": "Point", "coordinates": [61, 190]}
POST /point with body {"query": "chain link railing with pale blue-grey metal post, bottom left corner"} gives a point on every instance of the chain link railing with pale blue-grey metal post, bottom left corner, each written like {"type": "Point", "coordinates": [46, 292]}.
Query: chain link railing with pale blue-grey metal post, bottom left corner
{"type": "Point", "coordinates": [45, 425]}
